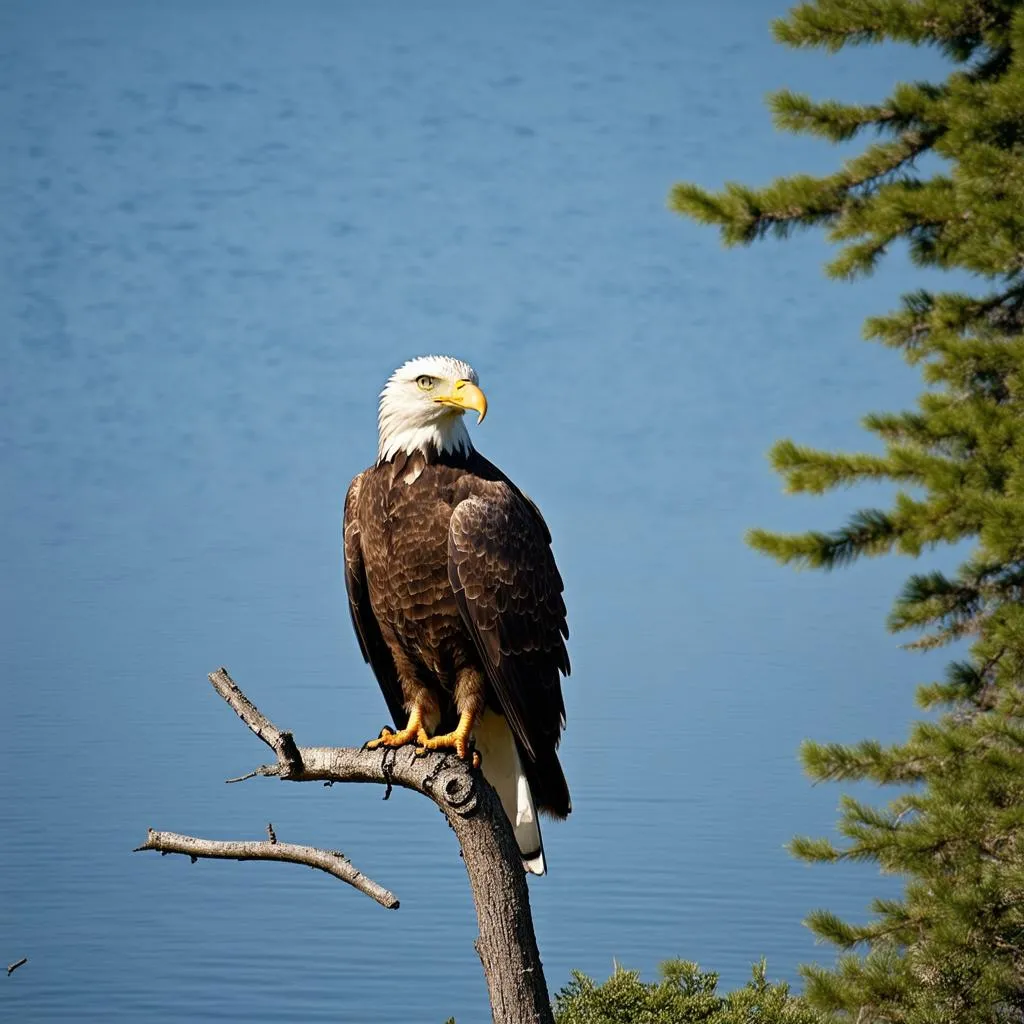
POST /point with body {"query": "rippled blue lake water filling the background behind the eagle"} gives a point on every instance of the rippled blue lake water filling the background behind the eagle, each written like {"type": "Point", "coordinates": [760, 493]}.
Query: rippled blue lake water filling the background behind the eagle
{"type": "Point", "coordinates": [226, 224]}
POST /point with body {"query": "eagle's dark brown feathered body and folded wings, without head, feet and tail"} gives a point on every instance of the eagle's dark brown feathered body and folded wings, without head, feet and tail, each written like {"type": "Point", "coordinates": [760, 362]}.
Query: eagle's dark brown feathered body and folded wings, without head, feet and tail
{"type": "Point", "coordinates": [458, 604]}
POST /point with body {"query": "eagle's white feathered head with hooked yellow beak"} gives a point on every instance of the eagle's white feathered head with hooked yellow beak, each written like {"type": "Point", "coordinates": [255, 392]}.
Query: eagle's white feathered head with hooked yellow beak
{"type": "Point", "coordinates": [422, 406]}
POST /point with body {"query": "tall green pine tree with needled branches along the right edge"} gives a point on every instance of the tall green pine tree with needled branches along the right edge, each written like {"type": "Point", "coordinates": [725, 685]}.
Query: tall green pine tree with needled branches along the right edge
{"type": "Point", "coordinates": [952, 950]}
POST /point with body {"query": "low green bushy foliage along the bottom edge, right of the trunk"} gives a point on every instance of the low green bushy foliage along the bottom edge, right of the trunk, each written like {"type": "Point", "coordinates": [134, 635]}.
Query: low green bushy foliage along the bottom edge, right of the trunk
{"type": "Point", "coordinates": [686, 995]}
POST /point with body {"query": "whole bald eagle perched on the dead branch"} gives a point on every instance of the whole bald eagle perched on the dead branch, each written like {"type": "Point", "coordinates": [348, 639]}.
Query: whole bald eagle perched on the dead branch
{"type": "Point", "coordinates": [456, 599]}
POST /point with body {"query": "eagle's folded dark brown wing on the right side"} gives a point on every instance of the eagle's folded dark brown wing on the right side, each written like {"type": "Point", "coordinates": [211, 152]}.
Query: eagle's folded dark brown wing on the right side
{"type": "Point", "coordinates": [509, 593]}
